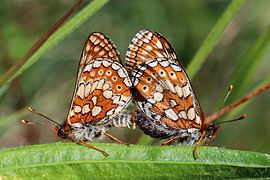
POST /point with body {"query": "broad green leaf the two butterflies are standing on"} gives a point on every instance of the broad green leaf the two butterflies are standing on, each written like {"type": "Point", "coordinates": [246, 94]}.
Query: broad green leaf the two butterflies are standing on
{"type": "Point", "coordinates": [68, 161]}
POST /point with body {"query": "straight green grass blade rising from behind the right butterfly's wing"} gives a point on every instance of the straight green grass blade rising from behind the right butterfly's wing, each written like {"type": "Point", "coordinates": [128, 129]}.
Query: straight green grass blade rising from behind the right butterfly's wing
{"type": "Point", "coordinates": [213, 37]}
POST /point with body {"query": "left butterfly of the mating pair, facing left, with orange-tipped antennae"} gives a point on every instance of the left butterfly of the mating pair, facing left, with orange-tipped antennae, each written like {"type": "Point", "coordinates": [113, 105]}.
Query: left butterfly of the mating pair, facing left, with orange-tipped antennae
{"type": "Point", "coordinates": [102, 92]}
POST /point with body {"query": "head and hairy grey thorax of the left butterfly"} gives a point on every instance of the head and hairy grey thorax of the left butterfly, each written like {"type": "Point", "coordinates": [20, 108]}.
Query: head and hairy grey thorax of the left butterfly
{"type": "Point", "coordinates": [78, 131]}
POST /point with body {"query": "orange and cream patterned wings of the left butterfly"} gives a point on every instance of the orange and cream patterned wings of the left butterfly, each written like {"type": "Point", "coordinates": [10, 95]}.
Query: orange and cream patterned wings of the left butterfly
{"type": "Point", "coordinates": [103, 86]}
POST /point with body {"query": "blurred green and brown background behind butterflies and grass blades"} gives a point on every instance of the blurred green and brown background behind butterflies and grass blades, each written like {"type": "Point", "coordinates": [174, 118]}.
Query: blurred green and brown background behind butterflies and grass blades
{"type": "Point", "coordinates": [48, 84]}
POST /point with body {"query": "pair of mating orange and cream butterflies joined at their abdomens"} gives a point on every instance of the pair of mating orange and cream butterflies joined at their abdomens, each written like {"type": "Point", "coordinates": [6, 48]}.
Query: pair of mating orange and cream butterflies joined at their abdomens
{"type": "Point", "coordinates": [159, 84]}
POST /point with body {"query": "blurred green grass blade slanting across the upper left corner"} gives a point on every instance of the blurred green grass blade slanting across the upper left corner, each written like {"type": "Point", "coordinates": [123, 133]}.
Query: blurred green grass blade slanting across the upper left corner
{"type": "Point", "coordinates": [59, 35]}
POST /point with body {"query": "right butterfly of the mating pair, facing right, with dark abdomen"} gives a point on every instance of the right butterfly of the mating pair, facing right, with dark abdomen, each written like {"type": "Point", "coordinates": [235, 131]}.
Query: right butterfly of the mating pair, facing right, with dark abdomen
{"type": "Point", "coordinates": [169, 108]}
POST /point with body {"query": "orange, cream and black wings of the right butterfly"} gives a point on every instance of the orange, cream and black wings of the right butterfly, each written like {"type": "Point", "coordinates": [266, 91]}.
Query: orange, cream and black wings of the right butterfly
{"type": "Point", "coordinates": [162, 87]}
